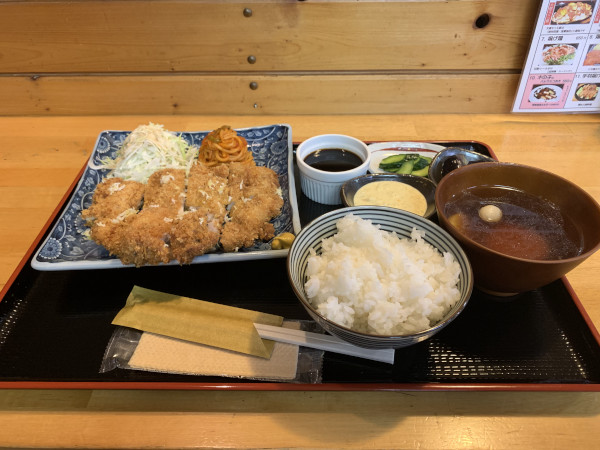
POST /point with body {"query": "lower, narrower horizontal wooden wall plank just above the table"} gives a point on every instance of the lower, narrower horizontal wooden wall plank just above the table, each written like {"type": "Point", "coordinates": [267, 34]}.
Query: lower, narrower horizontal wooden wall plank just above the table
{"type": "Point", "coordinates": [276, 94]}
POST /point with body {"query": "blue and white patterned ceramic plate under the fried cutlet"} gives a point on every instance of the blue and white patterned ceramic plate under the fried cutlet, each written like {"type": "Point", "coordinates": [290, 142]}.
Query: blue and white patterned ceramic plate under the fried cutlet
{"type": "Point", "coordinates": [68, 248]}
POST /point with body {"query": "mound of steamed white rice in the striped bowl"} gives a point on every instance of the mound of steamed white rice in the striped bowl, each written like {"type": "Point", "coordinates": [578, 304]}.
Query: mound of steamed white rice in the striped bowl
{"type": "Point", "coordinates": [376, 282]}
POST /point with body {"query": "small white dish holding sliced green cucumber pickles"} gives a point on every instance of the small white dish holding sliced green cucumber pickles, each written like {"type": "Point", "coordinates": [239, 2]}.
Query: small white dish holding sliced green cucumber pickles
{"type": "Point", "coordinates": [382, 150]}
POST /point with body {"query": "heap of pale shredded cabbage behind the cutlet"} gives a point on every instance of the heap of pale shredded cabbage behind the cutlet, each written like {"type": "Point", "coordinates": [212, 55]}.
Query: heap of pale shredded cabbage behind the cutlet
{"type": "Point", "coordinates": [150, 148]}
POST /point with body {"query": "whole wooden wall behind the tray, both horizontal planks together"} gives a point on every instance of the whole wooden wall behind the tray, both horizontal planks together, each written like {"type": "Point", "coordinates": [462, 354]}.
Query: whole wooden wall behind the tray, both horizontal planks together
{"type": "Point", "coordinates": [88, 57]}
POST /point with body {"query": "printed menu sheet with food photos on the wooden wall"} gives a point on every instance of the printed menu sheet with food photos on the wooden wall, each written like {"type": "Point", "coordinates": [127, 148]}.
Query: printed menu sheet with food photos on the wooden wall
{"type": "Point", "coordinates": [562, 71]}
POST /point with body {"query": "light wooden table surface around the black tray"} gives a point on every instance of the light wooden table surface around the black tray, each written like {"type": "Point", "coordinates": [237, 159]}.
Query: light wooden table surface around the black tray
{"type": "Point", "coordinates": [39, 157]}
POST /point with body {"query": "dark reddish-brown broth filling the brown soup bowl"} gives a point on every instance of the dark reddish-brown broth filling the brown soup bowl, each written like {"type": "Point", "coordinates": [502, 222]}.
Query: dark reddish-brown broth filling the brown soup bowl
{"type": "Point", "coordinates": [530, 228]}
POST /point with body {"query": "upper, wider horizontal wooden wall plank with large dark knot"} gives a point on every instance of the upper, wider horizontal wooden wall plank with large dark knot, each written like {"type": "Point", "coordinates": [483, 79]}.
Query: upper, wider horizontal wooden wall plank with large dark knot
{"type": "Point", "coordinates": [88, 36]}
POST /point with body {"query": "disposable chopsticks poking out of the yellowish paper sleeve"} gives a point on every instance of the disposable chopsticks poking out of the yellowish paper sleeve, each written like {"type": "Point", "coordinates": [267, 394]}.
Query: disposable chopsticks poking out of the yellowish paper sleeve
{"type": "Point", "coordinates": [322, 342]}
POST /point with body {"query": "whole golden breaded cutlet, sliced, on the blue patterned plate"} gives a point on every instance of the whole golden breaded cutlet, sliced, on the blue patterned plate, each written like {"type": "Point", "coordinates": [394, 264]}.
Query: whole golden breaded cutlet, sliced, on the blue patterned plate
{"type": "Point", "coordinates": [228, 204]}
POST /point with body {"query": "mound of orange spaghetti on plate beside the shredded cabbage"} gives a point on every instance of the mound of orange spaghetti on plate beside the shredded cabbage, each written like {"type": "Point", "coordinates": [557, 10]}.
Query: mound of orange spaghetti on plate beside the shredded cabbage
{"type": "Point", "coordinates": [224, 145]}
